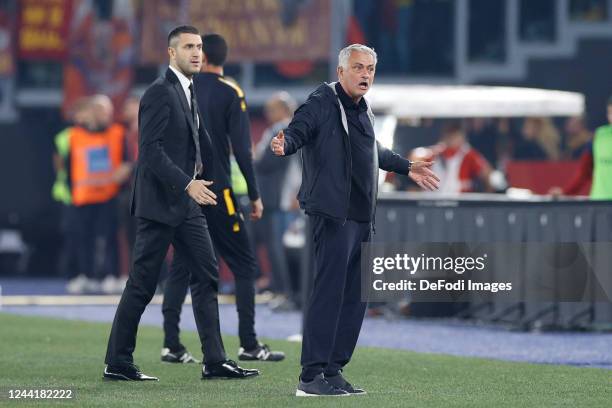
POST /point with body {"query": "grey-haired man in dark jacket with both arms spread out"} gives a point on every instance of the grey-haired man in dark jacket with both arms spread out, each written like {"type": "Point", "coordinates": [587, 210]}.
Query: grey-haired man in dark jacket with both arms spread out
{"type": "Point", "coordinates": [341, 158]}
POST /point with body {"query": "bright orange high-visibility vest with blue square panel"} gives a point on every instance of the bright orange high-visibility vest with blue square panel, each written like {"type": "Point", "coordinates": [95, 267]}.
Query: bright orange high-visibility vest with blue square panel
{"type": "Point", "coordinates": [94, 157]}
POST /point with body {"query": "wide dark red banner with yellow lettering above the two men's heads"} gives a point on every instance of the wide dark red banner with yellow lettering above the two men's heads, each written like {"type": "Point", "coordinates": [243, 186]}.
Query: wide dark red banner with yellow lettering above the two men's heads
{"type": "Point", "coordinates": [256, 30]}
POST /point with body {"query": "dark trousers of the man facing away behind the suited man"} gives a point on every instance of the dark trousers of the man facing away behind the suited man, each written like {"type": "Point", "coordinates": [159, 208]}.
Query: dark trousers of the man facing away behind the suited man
{"type": "Point", "coordinates": [231, 242]}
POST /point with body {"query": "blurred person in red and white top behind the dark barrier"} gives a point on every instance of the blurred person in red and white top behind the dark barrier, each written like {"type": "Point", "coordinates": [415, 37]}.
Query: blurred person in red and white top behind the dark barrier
{"type": "Point", "coordinates": [460, 167]}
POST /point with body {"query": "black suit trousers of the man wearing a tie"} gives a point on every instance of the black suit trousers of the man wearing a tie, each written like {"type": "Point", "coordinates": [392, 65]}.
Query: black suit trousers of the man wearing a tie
{"type": "Point", "coordinates": [191, 241]}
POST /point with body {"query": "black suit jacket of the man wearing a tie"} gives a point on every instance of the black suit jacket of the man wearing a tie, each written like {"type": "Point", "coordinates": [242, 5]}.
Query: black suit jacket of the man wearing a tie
{"type": "Point", "coordinates": [166, 153]}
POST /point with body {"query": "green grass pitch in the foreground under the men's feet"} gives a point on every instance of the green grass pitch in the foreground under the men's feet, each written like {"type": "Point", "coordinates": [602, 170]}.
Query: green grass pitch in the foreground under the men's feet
{"type": "Point", "coordinates": [42, 353]}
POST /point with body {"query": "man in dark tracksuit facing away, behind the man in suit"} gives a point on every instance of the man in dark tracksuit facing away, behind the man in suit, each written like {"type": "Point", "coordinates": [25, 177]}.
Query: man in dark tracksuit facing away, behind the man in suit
{"type": "Point", "coordinates": [225, 116]}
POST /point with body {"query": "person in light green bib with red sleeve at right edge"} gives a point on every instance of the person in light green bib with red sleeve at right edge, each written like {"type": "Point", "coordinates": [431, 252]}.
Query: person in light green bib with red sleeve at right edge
{"type": "Point", "coordinates": [595, 165]}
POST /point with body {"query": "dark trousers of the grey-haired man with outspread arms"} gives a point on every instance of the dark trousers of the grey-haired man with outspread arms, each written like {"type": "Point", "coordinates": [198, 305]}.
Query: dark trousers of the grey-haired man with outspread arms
{"type": "Point", "coordinates": [334, 311]}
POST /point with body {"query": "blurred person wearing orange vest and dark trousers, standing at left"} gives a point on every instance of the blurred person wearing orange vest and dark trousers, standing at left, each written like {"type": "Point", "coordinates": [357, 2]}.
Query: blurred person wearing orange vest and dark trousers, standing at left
{"type": "Point", "coordinates": [98, 167]}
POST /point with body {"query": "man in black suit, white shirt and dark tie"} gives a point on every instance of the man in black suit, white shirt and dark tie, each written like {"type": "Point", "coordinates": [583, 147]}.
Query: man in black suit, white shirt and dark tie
{"type": "Point", "coordinates": [175, 159]}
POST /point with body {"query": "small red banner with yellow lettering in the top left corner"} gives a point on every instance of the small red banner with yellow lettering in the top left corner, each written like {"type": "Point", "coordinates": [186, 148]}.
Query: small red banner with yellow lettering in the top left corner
{"type": "Point", "coordinates": [43, 29]}
